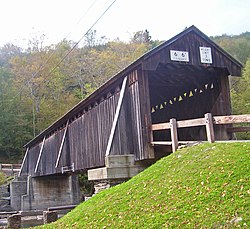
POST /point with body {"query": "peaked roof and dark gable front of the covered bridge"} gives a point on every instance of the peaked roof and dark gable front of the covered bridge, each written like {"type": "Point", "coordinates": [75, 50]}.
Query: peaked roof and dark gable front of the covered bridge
{"type": "Point", "coordinates": [150, 61]}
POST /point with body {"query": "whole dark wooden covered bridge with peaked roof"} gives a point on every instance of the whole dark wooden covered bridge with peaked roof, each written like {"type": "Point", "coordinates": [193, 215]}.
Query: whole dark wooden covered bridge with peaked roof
{"type": "Point", "coordinates": [185, 77]}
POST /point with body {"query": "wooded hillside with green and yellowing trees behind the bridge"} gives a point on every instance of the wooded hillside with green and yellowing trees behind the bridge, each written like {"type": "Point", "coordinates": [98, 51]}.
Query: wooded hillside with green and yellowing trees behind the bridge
{"type": "Point", "coordinates": [40, 83]}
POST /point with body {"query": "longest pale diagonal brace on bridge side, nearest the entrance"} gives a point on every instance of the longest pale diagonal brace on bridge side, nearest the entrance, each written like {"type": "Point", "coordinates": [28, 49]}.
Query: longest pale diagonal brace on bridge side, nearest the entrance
{"type": "Point", "coordinates": [118, 108]}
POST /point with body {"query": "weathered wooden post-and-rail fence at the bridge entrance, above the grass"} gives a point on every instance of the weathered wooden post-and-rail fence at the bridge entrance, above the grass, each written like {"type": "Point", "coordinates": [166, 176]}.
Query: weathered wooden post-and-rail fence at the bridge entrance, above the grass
{"type": "Point", "coordinates": [209, 121]}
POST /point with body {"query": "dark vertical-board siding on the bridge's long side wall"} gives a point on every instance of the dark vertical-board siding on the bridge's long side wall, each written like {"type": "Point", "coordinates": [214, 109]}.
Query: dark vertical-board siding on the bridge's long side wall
{"type": "Point", "coordinates": [87, 135]}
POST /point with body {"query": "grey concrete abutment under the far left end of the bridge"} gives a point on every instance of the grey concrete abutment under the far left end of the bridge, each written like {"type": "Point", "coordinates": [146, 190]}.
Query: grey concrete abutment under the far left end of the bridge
{"type": "Point", "coordinates": [39, 193]}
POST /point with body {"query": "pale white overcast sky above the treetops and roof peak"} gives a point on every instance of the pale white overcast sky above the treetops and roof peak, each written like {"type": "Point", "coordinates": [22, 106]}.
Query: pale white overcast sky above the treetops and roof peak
{"type": "Point", "coordinates": [23, 20]}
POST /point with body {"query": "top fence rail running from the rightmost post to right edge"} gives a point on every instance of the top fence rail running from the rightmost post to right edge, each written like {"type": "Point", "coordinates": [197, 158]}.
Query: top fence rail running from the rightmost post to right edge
{"type": "Point", "coordinates": [231, 119]}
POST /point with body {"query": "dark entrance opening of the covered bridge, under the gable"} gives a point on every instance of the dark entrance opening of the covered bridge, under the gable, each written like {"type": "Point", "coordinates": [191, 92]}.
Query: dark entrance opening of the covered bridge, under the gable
{"type": "Point", "coordinates": [183, 91]}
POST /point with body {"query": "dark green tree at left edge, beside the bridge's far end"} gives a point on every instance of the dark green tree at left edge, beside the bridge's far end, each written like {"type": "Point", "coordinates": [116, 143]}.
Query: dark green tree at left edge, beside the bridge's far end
{"type": "Point", "coordinates": [15, 130]}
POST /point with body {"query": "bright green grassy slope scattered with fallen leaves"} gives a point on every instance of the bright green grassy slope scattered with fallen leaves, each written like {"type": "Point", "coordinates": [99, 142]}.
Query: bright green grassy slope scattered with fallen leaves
{"type": "Point", "coordinates": [205, 186]}
